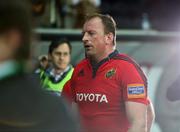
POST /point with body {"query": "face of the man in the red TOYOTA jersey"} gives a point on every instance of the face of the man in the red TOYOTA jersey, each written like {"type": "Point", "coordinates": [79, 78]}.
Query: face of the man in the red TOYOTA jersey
{"type": "Point", "coordinates": [94, 38]}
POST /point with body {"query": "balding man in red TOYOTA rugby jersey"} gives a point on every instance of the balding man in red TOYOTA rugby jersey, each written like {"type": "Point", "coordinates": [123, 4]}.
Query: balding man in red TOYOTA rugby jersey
{"type": "Point", "coordinates": [109, 88]}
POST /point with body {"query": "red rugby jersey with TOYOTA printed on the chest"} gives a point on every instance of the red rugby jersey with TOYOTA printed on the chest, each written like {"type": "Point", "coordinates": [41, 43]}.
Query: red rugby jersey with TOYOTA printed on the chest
{"type": "Point", "coordinates": [101, 91]}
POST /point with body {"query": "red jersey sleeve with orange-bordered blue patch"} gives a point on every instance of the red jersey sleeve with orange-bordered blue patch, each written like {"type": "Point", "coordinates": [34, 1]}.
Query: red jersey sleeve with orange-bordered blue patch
{"type": "Point", "coordinates": [134, 85]}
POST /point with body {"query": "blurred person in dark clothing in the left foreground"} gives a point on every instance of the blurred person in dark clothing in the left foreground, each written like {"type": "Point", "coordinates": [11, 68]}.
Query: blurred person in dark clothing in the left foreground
{"type": "Point", "coordinates": [24, 106]}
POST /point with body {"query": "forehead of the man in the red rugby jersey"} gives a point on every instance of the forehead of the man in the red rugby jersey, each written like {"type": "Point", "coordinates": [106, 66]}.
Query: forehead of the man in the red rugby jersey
{"type": "Point", "coordinates": [93, 24]}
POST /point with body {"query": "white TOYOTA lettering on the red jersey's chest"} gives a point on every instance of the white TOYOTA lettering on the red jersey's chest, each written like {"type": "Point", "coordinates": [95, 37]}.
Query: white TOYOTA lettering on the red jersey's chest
{"type": "Point", "coordinates": [91, 97]}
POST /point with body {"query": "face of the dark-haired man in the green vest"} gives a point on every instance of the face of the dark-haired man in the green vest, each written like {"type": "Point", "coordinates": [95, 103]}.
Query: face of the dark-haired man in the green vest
{"type": "Point", "coordinates": [60, 57]}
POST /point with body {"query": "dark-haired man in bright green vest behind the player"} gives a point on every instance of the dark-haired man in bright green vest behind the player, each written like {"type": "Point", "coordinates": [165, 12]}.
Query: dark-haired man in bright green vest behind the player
{"type": "Point", "coordinates": [54, 78]}
